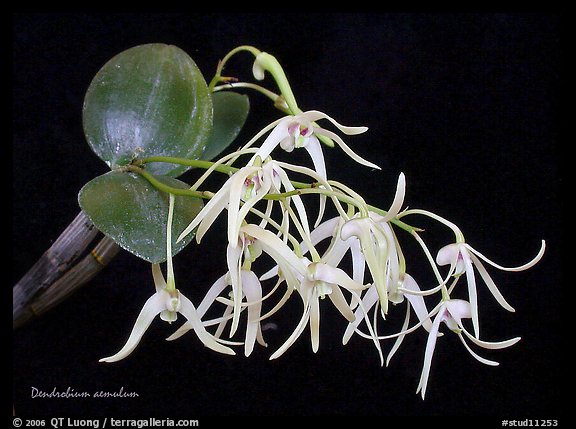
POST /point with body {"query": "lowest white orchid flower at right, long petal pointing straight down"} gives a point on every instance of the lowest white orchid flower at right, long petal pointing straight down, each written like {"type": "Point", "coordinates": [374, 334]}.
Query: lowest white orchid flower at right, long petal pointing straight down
{"type": "Point", "coordinates": [451, 312]}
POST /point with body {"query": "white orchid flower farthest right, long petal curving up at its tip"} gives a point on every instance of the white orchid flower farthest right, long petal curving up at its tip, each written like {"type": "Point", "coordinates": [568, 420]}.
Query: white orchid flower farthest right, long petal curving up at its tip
{"type": "Point", "coordinates": [462, 259]}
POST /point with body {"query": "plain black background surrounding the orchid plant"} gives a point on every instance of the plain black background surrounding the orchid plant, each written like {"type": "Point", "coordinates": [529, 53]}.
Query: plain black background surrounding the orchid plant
{"type": "Point", "coordinates": [467, 105]}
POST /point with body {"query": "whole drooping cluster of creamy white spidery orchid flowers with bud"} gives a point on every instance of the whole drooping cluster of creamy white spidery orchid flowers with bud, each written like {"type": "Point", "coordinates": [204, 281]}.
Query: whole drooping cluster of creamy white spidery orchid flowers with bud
{"type": "Point", "coordinates": [353, 257]}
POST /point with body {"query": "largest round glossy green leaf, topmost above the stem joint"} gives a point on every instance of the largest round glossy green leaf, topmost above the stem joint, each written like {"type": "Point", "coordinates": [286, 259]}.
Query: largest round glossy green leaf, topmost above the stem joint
{"type": "Point", "coordinates": [150, 100]}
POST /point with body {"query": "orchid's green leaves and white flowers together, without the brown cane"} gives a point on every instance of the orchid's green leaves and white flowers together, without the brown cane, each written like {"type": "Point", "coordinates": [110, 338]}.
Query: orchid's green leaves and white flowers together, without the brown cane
{"type": "Point", "coordinates": [150, 116]}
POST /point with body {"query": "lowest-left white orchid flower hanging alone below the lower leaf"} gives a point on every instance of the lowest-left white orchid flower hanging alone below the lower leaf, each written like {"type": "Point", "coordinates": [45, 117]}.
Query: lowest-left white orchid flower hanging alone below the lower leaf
{"type": "Point", "coordinates": [166, 303]}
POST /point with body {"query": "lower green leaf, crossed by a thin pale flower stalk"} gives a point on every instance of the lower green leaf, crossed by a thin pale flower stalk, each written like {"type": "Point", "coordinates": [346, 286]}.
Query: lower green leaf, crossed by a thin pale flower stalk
{"type": "Point", "coordinates": [134, 214]}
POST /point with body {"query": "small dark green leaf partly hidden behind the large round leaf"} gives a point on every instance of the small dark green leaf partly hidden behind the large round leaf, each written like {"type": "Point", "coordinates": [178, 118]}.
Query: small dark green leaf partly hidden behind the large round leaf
{"type": "Point", "coordinates": [230, 112]}
